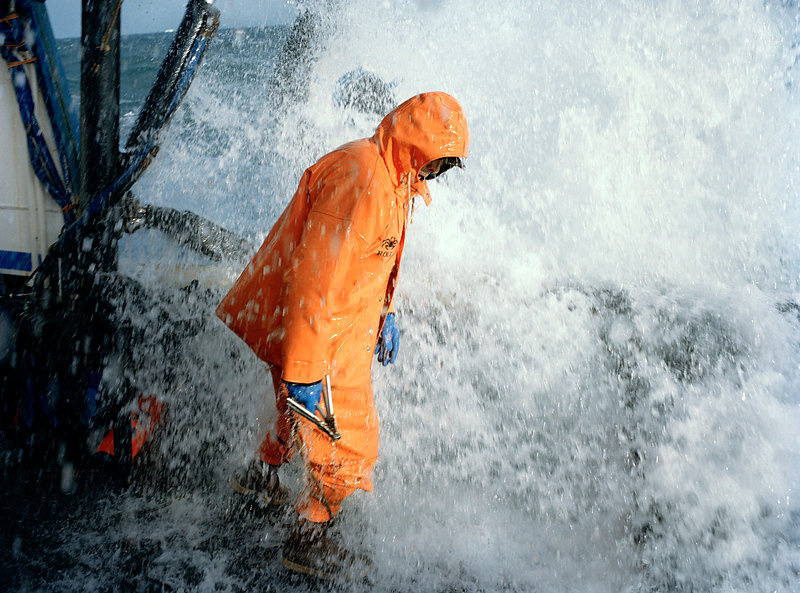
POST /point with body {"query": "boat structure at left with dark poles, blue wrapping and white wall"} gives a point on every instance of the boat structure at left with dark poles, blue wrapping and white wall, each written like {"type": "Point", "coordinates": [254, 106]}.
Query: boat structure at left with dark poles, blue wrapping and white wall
{"type": "Point", "coordinates": [66, 199]}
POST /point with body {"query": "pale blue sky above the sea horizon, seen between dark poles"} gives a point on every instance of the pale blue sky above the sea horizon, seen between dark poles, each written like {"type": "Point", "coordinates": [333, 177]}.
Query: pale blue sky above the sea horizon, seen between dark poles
{"type": "Point", "coordinates": [147, 16]}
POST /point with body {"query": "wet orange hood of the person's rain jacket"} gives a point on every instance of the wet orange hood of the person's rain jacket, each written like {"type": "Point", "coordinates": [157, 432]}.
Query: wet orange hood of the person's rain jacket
{"type": "Point", "coordinates": [428, 126]}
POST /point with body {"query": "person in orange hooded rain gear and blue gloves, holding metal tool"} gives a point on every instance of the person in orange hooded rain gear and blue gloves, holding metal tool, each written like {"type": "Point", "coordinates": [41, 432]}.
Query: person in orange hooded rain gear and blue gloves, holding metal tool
{"type": "Point", "coordinates": [317, 301]}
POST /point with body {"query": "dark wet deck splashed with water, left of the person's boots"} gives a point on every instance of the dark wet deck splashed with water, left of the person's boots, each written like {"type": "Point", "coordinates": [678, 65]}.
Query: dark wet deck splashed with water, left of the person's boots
{"type": "Point", "coordinates": [105, 536]}
